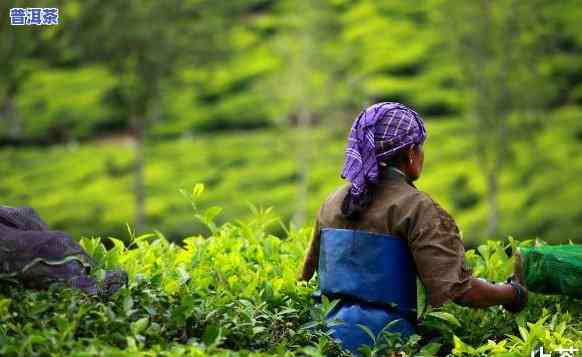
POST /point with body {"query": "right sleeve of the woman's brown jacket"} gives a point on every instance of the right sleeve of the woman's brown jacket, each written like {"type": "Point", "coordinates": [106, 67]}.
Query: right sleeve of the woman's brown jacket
{"type": "Point", "coordinates": [438, 253]}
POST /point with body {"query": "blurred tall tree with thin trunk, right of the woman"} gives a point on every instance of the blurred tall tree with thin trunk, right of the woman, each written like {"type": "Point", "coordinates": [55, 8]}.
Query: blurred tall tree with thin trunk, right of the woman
{"type": "Point", "coordinates": [497, 47]}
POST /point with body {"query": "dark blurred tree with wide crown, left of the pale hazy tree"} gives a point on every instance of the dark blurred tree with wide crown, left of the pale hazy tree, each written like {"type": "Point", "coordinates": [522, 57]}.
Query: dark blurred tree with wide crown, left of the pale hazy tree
{"type": "Point", "coordinates": [145, 43]}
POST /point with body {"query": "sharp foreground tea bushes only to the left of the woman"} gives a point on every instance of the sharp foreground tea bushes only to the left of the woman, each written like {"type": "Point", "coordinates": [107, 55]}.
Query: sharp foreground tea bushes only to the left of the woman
{"type": "Point", "coordinates": [232, 290]}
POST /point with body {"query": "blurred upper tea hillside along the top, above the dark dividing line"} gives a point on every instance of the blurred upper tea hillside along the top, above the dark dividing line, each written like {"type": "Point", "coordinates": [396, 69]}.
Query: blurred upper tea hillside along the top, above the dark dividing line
{"type": "Point", "coordinates": [207, 63]}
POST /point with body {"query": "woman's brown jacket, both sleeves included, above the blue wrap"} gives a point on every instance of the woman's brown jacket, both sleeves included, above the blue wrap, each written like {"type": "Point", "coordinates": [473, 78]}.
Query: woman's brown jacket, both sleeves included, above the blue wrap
{"type": "Point", "coordinates": [398, 208]}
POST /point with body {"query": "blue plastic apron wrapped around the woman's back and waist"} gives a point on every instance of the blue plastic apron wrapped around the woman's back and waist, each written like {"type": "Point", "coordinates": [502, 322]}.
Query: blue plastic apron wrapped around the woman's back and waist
{"type": "Point", "coordinates": [374, 277]}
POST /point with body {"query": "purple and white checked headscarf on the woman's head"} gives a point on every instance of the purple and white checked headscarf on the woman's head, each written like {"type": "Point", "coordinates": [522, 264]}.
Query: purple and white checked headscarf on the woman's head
{"type": "Point", "coordinates": [378, 133]}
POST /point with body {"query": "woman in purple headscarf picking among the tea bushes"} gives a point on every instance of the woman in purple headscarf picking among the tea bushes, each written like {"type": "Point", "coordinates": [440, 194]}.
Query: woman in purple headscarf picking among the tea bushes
{"type": "Point", "coordinates": [384, 156]}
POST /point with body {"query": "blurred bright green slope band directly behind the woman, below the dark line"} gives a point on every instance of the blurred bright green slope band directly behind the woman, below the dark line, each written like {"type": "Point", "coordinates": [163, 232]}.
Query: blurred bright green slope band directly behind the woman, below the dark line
{"type": "Point", "coordinates": [86, 189]}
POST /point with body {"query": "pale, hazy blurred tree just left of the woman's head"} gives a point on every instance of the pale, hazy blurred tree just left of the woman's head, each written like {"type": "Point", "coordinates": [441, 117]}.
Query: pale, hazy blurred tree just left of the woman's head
{"type": "Point", "coordinates": [301, 84]}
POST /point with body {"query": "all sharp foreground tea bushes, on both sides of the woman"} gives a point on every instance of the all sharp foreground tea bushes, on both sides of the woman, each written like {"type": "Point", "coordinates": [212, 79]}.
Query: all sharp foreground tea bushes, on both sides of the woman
{"type": "Point", "coordinates": [234, 293]}
